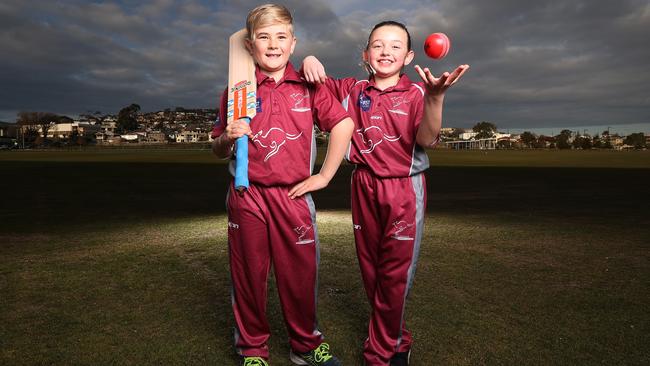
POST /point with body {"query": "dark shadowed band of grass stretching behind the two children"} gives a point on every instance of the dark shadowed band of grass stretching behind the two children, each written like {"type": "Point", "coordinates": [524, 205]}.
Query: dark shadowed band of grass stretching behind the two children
{"type": "Point", "coordinates": [43, 196]}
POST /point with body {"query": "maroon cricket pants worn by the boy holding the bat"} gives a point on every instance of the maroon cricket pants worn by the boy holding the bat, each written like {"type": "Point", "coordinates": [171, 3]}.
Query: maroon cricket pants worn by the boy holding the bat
{"type": "Point", "coordinates": [266, 227]}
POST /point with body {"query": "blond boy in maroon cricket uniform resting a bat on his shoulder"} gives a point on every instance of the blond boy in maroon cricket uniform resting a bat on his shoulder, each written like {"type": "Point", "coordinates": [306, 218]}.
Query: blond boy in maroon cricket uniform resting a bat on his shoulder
{"type": "Point", "coordinates": [274, 220]}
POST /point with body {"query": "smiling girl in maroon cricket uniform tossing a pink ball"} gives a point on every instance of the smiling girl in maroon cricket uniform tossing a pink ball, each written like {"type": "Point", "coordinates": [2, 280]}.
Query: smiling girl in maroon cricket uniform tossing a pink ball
{"type": "Point", "coordinates": [395, 119]}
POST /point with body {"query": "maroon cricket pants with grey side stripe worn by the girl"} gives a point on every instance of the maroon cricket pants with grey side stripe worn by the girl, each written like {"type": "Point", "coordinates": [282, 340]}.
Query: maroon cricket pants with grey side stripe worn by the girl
{"type": "Point", "coordinates": [388, 218]}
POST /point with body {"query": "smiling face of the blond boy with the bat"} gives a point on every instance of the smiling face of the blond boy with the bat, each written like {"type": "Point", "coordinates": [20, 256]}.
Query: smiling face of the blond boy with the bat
{"type": "Point", "coordinates": [271, 47]}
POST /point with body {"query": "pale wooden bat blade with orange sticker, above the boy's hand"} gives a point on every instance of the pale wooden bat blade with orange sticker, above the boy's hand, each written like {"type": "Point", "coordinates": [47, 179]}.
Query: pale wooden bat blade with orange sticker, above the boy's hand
{"type": "Point", "coordinates": [242, 86]}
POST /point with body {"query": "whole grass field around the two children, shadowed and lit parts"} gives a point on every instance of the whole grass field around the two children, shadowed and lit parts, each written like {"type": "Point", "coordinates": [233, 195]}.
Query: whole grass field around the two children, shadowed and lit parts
{"type": "Point", "coordinates": [119, 257]}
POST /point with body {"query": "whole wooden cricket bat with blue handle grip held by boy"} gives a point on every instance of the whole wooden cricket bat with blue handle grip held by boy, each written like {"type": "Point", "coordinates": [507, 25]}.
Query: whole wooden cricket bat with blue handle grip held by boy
{"type": "Point", "coordinates": [242, 100]}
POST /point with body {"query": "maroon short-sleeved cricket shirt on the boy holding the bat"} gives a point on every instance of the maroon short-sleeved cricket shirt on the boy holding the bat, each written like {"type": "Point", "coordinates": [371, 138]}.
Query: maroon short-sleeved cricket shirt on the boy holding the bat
{"type": "Point", "coordinates": [283, 148]}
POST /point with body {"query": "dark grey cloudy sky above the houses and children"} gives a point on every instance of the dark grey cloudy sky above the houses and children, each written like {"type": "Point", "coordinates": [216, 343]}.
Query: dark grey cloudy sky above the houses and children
{"type": "Point", "coordinates": [533, 64]}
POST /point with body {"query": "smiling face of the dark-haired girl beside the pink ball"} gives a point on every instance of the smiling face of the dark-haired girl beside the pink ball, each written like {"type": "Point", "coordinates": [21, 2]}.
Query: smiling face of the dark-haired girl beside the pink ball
{"type": "Point", "coordinates": [388, 52]}
